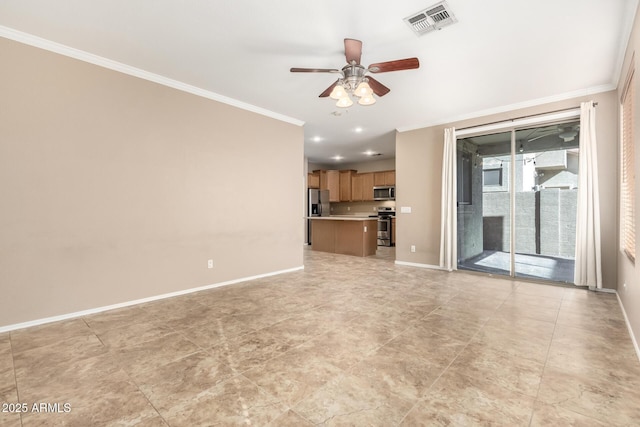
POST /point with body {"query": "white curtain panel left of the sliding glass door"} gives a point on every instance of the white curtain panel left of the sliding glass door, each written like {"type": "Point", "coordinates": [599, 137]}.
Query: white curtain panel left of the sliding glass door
{"type": "Point", "coordinates": [448, 249]}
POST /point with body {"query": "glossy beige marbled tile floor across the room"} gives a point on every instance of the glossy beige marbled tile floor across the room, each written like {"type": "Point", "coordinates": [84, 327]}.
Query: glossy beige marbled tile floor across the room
{"type": "Point", "coordinates": [347, 341]}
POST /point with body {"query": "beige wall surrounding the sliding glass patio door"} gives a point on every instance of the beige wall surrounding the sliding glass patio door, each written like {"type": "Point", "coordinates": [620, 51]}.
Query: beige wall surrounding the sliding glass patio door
{"type": "Point", "coordinates": [419, 168]}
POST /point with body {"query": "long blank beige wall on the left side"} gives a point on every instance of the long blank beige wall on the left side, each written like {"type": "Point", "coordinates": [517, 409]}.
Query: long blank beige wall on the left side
{"type": "Point", "coordinates": [114, 188]}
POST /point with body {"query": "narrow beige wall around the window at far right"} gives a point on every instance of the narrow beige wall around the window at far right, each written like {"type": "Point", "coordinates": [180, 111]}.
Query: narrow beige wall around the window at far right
{"type": "Point", "coordinates": [629, 272]}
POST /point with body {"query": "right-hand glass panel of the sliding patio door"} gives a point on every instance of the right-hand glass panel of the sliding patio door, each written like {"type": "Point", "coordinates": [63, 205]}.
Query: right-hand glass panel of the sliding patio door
{"type": "Point", "coordinates": [546, 190]}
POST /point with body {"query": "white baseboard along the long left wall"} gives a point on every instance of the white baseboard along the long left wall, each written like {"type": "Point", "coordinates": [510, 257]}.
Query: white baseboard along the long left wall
{"type": "Point", "coordinates": [139, 301]}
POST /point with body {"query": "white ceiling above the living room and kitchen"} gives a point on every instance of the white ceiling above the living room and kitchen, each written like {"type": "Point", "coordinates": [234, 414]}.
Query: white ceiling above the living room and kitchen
{"type": "Point", "coordinates": [499, 55]}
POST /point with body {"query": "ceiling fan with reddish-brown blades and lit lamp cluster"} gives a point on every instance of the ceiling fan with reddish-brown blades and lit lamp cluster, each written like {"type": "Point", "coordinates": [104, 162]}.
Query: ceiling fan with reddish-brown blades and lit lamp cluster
{"type": "Point", "coordinates": [353, 78]}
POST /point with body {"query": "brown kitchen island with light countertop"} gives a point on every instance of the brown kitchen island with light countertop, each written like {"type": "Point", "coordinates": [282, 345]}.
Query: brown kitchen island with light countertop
{"type": "Point", "coordinates": [348, 235]}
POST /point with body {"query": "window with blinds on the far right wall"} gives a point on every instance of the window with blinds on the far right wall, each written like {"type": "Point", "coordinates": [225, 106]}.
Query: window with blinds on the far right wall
{"type": "Point", "coordinates": [627, 187]}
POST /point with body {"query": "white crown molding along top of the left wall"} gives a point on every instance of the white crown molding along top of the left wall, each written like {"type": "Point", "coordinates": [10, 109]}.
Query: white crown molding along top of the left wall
{"type": "Point", "coordinates": [31, 40]}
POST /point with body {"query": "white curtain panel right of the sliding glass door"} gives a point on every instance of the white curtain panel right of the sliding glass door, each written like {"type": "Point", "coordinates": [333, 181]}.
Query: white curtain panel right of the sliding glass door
{"type": "Point", "coordinates": [588, 266]}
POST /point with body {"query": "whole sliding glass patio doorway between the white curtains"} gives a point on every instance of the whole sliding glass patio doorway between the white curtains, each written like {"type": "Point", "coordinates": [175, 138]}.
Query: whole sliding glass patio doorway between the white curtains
{"type": "Point", "coordinates": [517, 201]}
